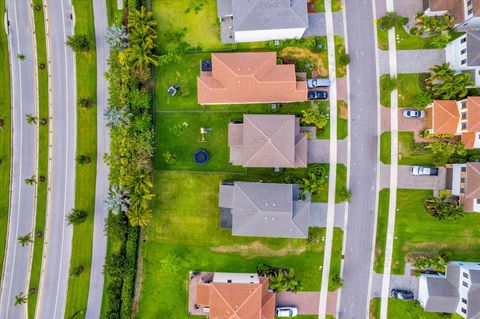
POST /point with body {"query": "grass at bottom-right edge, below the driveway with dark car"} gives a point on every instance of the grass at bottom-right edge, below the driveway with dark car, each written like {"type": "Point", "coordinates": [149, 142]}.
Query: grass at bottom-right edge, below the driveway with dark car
{"type": "Point", "coordinates": [404, 309]}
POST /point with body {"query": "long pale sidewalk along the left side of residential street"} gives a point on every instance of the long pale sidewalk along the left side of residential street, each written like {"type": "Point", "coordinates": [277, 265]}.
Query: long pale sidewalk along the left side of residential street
{"type": "Point", "coordinates": [322, 307]}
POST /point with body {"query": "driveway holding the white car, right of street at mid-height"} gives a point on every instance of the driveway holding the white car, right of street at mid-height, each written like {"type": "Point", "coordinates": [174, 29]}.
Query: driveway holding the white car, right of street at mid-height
{"type": "Point", "coordinates": [409, 181]}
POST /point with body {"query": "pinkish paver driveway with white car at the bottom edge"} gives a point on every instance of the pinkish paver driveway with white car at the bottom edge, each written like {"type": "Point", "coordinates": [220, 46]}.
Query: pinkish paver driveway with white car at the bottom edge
{"type": "Point", "coordinates": [307, 302]}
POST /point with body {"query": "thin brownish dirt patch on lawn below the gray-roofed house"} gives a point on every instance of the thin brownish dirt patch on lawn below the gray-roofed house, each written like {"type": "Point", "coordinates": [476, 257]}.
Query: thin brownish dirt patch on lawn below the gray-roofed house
{"type": "Point", "coordinates": [258, 249]}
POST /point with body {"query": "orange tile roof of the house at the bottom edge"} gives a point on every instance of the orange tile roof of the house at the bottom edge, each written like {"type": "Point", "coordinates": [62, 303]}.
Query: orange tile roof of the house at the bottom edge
{"type": "Point", "coordinates": [238, 300]}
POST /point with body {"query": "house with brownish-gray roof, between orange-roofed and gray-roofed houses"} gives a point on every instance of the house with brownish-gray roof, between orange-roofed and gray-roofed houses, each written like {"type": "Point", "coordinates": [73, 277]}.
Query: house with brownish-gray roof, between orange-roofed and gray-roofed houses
{"type": "Point", "coordinates": [267, 141]}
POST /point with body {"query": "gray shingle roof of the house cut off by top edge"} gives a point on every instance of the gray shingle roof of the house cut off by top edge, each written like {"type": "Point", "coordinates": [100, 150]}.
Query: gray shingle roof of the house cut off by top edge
{"type": "Point", "coordinates": [249, 15]}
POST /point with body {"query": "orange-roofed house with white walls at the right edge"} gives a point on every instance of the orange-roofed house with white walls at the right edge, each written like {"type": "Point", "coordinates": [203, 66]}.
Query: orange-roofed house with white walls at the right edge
{"type": "Point", "coordinates": [460, 118]}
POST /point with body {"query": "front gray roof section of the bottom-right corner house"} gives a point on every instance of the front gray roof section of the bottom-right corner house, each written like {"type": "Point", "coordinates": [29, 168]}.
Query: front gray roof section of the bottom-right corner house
{"type": "Point", "coordinates": [443, 297]}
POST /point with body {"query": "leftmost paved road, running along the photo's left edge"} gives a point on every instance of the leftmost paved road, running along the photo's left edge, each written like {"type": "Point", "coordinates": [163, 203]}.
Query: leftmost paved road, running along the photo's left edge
{"type": "Point", "coordinates": [24, 163]}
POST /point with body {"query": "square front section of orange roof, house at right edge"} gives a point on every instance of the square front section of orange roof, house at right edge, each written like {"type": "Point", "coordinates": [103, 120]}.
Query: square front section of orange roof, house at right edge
{"type": "Point", "coordinates": [445, 117]}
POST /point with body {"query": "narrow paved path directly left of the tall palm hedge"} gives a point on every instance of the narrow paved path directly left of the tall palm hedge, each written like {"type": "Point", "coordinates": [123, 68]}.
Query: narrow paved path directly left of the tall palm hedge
{"type": "Point", "coordinates": [103, 145]}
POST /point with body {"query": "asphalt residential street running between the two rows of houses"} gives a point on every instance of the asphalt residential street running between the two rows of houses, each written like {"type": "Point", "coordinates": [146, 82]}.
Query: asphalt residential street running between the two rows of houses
{"type": "Point", "coordinates": [361, 211]}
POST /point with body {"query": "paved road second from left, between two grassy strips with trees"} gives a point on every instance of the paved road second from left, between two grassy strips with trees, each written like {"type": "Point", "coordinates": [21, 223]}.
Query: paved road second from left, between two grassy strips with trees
{"type": "Point", "coordinates": [58, 240]}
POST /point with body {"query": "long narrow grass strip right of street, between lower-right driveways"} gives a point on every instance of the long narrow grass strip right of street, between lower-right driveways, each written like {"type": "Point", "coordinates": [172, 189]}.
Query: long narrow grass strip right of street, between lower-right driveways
{"type": "Point", "coordinates": [381, 236]}
